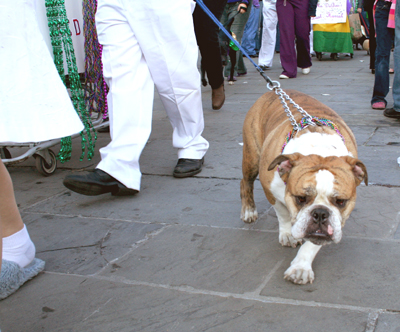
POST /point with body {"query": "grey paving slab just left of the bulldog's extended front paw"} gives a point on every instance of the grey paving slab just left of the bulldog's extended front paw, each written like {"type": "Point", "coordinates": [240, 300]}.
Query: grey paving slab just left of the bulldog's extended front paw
{"type": "Point", "coordinates": [204, 258]}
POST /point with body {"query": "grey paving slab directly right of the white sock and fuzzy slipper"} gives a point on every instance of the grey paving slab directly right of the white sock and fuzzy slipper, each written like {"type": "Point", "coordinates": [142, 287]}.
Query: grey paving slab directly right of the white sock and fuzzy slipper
{"type": "Point", "coordinates": [83, 246]}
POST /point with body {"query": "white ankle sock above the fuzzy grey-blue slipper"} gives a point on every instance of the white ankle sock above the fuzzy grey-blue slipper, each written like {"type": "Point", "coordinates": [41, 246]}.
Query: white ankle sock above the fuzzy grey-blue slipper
{"type": "Point", "coordinates": [19, 248]}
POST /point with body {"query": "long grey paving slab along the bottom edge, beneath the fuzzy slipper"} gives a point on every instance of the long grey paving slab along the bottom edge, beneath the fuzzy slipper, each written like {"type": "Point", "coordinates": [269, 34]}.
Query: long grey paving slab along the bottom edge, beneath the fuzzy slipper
{"type": "Point", "coordinates": [87, 304]}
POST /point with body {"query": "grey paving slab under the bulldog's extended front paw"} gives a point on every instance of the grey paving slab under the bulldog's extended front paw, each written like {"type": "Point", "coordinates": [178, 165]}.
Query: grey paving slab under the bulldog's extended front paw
{"type": "Point", "coordinates": [354, 272]}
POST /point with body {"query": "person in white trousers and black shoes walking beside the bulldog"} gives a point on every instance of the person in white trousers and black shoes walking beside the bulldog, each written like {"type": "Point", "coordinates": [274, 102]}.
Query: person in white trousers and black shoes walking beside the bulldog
{"type": "Point", "coordinates": [146, 43]}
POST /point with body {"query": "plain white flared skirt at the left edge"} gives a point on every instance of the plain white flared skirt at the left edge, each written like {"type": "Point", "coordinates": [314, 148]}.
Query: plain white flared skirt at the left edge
{"type": "Point", "coordinates": [34, 103]}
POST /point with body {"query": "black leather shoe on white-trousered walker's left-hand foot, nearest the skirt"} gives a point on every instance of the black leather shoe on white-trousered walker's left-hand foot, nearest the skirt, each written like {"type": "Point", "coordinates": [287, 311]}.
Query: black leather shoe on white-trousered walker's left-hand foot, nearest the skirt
{"type": "Point", "coordinates": [96, 182]}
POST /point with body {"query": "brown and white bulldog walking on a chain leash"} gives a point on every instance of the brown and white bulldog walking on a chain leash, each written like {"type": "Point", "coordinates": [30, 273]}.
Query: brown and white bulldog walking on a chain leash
{"type": "Point", "coordinates": [310, 178]}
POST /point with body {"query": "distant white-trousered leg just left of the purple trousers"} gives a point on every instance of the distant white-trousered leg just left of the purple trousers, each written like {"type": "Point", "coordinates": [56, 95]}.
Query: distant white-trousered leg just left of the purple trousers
{"type": "Point", "coordinates": [270, 20]}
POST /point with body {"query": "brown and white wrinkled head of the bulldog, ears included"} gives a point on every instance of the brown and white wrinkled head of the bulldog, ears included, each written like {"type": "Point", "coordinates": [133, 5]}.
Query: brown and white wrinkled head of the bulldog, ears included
{"type": "Point", "coordinates": [320, 194]}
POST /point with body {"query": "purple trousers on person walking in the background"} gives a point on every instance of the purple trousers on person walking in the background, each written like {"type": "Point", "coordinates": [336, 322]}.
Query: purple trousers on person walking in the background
{"type": "Point", "coordinates": [294, 25]}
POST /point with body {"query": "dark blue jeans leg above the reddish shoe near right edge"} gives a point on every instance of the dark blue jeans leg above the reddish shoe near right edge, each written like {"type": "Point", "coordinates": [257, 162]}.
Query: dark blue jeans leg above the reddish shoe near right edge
{"type": "Point", "coordinates": [384, 39]}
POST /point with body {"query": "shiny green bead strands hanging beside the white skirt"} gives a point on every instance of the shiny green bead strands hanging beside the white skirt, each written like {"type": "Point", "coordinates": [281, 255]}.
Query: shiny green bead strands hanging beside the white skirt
{"type": "Point", "coordinates": [61, 42]}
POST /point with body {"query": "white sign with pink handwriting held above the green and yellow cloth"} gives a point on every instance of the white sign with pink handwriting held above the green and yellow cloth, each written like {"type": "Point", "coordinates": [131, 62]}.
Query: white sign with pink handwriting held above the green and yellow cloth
{"type": "Point", "coordinates": [330, 11]}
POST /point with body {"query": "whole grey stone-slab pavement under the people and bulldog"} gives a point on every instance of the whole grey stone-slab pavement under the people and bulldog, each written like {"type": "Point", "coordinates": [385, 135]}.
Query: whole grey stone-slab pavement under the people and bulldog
{"type": "Point", "coordinates": [177, 257]}
